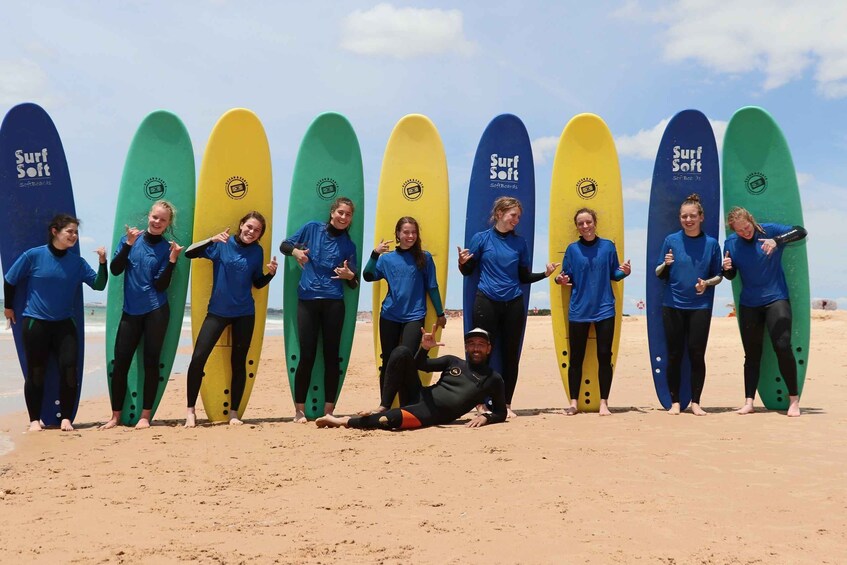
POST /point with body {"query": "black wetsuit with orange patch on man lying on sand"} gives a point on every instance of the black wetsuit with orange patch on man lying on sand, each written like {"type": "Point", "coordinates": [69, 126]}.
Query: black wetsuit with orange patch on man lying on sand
{"type": "Point", "coordinates": [461, 387]}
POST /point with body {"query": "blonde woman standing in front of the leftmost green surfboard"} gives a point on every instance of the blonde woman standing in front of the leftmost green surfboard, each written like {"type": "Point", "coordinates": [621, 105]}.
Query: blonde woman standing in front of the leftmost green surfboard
{"type": "Point", "coordinates": [147, 261]}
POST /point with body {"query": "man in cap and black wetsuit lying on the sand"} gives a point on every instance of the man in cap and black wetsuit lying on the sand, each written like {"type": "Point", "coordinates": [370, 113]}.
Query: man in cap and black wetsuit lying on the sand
{"type": "Point", "coordinates": [463, 385]}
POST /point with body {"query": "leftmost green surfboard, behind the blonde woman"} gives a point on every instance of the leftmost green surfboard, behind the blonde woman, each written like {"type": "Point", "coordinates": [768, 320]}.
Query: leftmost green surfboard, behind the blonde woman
{"type": "Point", "coordinates": [159, 165]}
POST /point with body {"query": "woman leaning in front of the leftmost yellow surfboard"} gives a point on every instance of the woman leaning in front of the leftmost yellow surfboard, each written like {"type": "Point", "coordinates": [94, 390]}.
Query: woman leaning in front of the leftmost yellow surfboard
{"type": "Point", "coordinates": [237, 263]}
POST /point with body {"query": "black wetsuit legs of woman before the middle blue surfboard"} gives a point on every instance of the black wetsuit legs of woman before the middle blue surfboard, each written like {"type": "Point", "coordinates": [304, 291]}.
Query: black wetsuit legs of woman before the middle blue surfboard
{"type": "Point", "coordinates": [504, 321]}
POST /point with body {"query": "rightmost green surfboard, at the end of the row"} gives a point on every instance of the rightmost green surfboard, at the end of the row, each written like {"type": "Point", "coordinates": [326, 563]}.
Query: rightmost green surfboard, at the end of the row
{"type": "Point", "coordinates": [759, 175]}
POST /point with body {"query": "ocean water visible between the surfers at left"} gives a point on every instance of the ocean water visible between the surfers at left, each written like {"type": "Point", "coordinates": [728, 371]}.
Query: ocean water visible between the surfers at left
{"type": "Point", "coordinates": [94, 370]}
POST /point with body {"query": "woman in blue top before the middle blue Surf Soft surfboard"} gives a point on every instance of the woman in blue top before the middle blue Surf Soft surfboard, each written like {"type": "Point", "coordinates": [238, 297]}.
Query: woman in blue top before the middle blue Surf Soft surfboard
{"type": "Point", "coordinates": [503, 259]}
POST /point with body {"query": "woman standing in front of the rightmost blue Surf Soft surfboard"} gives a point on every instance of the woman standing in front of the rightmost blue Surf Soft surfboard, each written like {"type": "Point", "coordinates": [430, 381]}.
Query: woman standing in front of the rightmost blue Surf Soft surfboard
{"type": "Point", "coordinates": [690, 265]}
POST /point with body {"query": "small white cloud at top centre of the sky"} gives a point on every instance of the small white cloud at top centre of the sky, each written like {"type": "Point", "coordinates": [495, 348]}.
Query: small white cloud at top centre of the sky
{"type": "Point", "coordinates": [405, 33]}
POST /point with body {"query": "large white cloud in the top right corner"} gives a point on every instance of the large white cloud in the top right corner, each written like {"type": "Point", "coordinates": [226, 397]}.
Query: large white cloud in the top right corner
{"type": "Point", "coordinates": [781, 39]}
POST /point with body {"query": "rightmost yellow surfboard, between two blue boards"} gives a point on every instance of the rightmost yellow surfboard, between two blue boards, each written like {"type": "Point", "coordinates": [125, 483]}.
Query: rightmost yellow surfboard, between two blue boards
{"type": "Point", "coordinates": [585, 174]}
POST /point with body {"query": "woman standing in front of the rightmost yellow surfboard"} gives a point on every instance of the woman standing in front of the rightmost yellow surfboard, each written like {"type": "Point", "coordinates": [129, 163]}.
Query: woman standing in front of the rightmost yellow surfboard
{"type": "Point", "coordinates": [590, 265]}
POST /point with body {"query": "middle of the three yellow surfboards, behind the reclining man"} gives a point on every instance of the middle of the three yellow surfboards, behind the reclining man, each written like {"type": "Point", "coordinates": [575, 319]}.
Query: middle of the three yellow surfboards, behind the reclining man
{"type": "Point", "coordinates": [413, 182]}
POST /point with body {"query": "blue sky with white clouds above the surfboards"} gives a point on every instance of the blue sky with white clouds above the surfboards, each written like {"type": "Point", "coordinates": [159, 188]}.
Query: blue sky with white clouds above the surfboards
{"type": "Point", "coordinates": [99, 68]}
